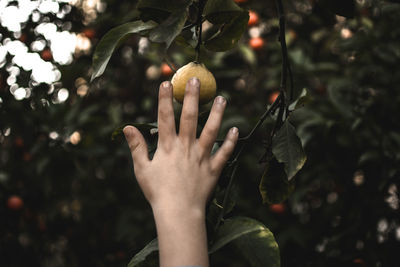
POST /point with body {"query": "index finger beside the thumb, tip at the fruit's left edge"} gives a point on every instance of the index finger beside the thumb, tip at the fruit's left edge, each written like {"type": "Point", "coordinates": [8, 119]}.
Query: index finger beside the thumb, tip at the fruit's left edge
{"type": "Point", "coordinates": [166, 120]}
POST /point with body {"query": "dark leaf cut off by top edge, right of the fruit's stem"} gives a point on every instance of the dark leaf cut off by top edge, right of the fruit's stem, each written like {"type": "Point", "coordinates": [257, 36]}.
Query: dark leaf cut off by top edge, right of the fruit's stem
{"type": "Point", "coordinates": [221, 11]}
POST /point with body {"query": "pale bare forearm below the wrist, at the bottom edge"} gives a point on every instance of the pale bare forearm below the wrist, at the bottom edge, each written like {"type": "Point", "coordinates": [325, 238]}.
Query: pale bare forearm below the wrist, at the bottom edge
{"type": "Point", "coordinates": [182, 237]}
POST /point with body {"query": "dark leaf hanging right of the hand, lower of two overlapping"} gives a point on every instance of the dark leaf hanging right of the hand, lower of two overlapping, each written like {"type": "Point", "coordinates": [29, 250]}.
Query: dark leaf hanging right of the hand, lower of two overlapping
{"type": "Point", "coordinates": [274, 186]}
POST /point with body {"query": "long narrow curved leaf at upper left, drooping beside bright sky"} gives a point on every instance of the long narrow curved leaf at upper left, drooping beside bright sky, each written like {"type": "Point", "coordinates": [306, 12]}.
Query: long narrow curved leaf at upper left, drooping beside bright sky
{"type": "Point", "coordinates": [109, 42]}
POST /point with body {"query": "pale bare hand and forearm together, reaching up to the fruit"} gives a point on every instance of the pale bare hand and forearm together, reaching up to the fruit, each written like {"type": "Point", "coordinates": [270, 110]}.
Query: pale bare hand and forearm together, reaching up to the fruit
{"type": "Point", "coordinates": [180, 178]}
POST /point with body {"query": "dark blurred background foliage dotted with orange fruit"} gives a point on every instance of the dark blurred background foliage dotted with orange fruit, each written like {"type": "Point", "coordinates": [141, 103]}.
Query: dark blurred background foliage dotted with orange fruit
{"type": "Point", "coordinates": [81, 204]}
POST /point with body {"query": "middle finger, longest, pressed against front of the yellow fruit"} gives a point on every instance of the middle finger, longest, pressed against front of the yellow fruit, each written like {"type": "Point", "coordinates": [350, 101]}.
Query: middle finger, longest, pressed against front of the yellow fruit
{"type": "Point", "coordinates": [188, 123]}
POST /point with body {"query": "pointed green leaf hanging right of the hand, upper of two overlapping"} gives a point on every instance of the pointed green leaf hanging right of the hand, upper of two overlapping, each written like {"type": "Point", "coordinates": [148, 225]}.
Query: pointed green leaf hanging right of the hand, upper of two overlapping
{"type": "Point", "coordinates": [287, 148]}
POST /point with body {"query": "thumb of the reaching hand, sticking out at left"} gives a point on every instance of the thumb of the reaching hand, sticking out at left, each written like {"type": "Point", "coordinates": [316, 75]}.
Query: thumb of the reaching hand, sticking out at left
{"type": "Point", "coordinates": [137, 145]}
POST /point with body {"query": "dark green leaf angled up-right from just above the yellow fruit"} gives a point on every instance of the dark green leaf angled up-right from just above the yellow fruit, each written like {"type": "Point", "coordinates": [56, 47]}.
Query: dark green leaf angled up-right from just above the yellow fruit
{"type": "Point", "coordinates": [229, 35]}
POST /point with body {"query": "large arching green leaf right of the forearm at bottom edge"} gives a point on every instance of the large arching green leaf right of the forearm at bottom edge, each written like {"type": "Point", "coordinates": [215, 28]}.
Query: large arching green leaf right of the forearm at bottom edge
{"type": "Point", "coordinates": [252, 238]}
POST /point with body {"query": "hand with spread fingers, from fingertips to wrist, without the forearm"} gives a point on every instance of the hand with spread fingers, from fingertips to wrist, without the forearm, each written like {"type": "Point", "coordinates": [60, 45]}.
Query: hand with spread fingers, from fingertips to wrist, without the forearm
{"type": "Point", "coordinates": [182, 173]}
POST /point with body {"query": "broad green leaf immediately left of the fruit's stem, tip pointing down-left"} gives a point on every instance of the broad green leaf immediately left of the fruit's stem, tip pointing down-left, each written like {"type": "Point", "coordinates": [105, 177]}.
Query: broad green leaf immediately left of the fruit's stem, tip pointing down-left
{"type": "Point", "coordinates": [170, 28]}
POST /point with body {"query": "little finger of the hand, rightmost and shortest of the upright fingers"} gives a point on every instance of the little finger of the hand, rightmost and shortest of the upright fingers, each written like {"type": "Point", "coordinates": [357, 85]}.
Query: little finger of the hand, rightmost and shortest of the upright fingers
{"type": "Point", "coordinates": [219, 159]}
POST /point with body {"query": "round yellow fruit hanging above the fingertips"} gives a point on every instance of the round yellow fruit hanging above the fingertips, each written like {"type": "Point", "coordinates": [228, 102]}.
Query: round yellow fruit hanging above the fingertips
{"type": "Point", "coordinates": [208, 85]}
